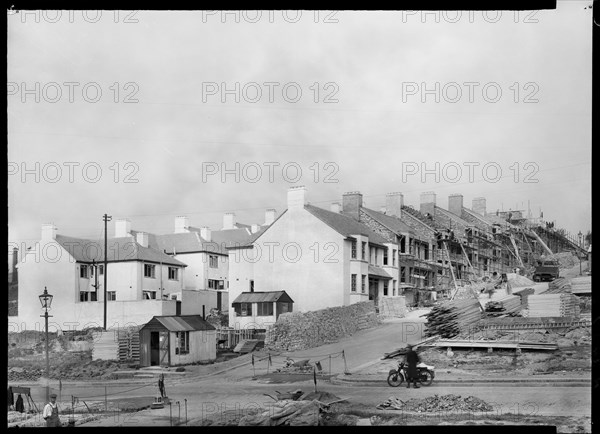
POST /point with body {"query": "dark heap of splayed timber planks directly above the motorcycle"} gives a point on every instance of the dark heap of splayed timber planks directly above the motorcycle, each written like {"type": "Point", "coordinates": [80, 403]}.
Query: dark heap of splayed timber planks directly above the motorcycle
{"type": "Point", "coordinates": [450, 318]}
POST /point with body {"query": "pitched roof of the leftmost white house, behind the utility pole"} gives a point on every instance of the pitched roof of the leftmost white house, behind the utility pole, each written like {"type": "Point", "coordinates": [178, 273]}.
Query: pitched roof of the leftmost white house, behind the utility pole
{"type": "Point", "coordinates": [119, 249]}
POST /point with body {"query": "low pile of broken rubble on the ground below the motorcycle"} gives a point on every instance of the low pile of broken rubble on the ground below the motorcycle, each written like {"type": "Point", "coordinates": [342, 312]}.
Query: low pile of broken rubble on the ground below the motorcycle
{"type": "Point", "coordinates": [436, 403]}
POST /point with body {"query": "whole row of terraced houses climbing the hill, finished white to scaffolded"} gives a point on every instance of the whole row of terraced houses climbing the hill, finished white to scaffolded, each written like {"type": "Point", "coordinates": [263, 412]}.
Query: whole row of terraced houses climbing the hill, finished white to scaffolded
{"type": "Point", "coordinates": [305, 258]}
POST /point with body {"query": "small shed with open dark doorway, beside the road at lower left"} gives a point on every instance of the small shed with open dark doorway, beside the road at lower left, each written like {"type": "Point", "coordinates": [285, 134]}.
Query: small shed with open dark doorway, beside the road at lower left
{"type": "Point", "coordinates": [177, 340]}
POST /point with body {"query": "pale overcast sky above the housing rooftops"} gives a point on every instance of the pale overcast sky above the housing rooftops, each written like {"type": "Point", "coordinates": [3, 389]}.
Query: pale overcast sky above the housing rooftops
{"type": "Point", "coordinates": [360, 123]}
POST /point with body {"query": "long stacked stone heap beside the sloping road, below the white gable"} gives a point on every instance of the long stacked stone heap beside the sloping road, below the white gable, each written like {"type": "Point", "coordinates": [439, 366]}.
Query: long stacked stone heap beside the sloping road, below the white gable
{"type": "Point", "coordinates": [303, 330]}
